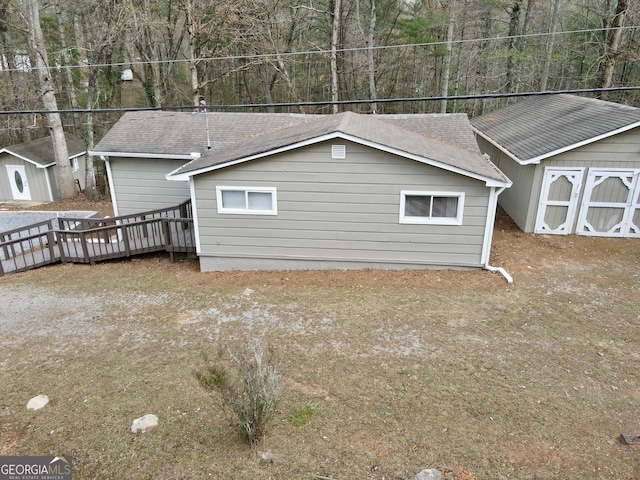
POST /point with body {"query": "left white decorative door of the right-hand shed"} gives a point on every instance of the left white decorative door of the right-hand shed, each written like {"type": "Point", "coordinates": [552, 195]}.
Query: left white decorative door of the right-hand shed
{"type": "Point", "coordinates": [558, 200]}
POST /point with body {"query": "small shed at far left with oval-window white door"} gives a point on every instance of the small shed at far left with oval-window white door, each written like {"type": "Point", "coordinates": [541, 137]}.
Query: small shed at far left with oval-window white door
{"type": "Point", "coordinates": [28, 171]}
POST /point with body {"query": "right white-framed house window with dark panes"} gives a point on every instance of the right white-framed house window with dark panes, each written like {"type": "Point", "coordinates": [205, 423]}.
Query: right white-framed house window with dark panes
{"type": "Point", "coordinates": [436, 208]}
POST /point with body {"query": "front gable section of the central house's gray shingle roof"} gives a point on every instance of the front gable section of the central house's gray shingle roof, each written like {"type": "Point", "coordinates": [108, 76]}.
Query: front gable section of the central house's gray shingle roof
{"type": "Point", "coordinates": [384, 132]}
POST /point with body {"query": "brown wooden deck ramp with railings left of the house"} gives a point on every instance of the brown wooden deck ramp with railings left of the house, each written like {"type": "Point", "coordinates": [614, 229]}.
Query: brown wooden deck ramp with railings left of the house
{"type": "Point", "coordinates": [91, 240]}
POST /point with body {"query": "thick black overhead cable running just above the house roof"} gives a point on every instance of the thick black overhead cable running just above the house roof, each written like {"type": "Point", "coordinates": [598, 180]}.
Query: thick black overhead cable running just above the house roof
{"type": "Point", "coordinates": [322, 103]}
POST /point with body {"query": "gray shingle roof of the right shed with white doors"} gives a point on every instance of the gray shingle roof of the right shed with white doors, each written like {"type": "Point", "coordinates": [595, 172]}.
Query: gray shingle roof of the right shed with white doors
{"type": "Point", "coordinates": [541, 125]}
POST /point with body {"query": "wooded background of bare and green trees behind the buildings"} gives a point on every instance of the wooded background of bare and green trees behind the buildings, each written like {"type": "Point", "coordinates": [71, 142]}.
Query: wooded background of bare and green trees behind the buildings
{"type": "Point", "coordinates": [87, 61]}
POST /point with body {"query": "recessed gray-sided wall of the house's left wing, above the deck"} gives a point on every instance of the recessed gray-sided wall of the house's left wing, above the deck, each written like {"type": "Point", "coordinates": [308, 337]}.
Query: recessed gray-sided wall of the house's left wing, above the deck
{"type": "Point", "coordinates": [141, 184]}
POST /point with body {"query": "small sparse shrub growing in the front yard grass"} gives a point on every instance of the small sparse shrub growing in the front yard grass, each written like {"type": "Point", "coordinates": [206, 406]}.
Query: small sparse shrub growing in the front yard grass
{"type": "Point", "coordinates": [248, 383]}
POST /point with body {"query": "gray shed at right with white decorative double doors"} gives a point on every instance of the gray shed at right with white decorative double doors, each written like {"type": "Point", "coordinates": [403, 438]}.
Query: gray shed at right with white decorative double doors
{"type": "Point", "coordinates": [574, 162]}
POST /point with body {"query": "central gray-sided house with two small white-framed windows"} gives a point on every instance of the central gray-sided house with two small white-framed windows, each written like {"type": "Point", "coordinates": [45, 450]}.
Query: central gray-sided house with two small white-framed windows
{"type": "Point", "coordinates": [287, 191]}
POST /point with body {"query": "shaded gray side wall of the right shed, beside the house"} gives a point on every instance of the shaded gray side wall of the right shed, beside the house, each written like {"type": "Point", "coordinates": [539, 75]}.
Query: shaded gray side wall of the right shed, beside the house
{"type": "Point", "coordinates": [515, 200]}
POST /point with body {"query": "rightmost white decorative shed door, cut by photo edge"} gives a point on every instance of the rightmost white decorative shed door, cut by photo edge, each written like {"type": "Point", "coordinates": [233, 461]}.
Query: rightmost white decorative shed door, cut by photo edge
{"type": "Point", "coordinates": [611, 205]}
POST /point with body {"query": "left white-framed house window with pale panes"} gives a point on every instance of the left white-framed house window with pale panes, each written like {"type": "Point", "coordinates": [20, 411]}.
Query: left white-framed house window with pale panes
{"type": "Point", "coordinates": [247, 200]}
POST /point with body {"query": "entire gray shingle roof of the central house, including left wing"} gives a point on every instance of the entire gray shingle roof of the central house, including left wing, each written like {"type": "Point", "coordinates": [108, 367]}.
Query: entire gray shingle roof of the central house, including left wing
{"type": "Point", "coordinates": [447, 139]}
